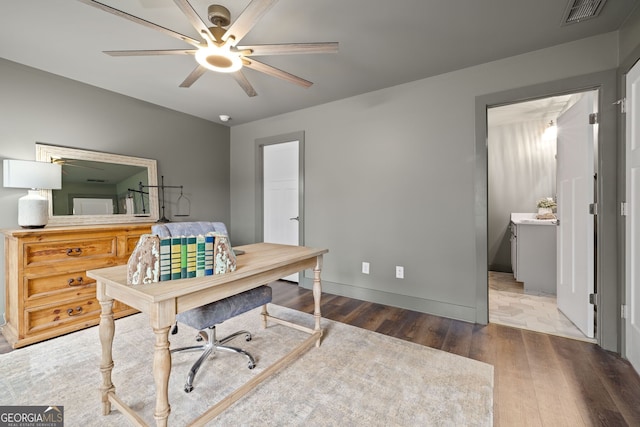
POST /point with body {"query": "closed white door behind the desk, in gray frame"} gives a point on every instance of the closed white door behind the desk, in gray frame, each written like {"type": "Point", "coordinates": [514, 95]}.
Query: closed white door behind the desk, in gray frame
{"type": "Point", "coordinates": [281, 213]}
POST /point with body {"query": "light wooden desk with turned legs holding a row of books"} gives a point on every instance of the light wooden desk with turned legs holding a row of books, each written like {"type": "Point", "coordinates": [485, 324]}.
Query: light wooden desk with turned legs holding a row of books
{"type": "Point", "coordinates": [261, 264]}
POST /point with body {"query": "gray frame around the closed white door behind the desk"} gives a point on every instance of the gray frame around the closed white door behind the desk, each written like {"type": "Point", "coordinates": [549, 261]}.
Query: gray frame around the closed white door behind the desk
{"type": "Point", "coordinates": [260, 143]}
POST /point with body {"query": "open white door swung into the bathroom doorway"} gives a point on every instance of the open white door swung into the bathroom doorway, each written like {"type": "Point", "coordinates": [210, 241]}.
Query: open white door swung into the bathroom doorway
{"type": "Point", "coordinates": [575, 187]}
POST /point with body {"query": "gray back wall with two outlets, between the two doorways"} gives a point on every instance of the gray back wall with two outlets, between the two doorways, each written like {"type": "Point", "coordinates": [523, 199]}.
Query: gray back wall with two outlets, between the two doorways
{"type": "Point", "coordinates": [391, 176]}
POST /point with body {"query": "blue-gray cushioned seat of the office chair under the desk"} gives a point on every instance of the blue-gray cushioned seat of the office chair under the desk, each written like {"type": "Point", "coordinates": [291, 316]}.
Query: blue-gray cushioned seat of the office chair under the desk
{"type": "Point", "coordinates": [217, 312]}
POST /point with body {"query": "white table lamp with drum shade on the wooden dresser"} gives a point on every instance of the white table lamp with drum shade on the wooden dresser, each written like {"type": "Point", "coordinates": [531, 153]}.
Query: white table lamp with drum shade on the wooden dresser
{"type": "Point", "coordinates": [33, 209]}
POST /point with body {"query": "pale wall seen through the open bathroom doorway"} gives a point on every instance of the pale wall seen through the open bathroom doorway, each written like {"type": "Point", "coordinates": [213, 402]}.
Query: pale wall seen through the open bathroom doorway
{"type": "Point", "coordinates": [521, 170]}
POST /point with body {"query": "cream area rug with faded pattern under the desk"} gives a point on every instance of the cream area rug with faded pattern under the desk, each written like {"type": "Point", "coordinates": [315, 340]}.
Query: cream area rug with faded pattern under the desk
{"type": "Point", "coordinates": [355, 378]}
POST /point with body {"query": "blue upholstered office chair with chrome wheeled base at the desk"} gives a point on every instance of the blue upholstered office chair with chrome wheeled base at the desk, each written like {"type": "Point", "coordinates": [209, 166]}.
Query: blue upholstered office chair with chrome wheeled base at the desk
{"type": "Point", "coordinates": [205, 318]}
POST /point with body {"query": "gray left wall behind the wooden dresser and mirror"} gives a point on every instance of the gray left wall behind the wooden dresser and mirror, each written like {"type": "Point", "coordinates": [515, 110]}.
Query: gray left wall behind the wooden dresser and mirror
{"type": "Point", "coordinates": [40, 107]}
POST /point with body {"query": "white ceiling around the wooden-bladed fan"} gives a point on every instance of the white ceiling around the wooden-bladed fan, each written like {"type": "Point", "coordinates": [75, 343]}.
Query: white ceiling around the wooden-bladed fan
{"type": "Point", "coordinates": [382, 44]}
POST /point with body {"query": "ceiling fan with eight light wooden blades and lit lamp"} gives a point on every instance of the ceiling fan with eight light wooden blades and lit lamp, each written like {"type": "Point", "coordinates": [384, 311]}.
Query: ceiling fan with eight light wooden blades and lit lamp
{"type": "Point", "coordinates": [219, 50]}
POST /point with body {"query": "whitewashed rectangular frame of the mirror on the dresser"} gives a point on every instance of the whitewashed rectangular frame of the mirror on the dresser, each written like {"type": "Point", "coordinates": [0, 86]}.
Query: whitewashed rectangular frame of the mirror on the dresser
{"type": "Point", "coordinates": [46, 153]}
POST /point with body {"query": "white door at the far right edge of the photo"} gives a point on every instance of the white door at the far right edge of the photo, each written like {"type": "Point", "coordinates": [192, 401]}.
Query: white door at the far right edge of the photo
{"type": "Point", "coordinates": [632, 237]}
